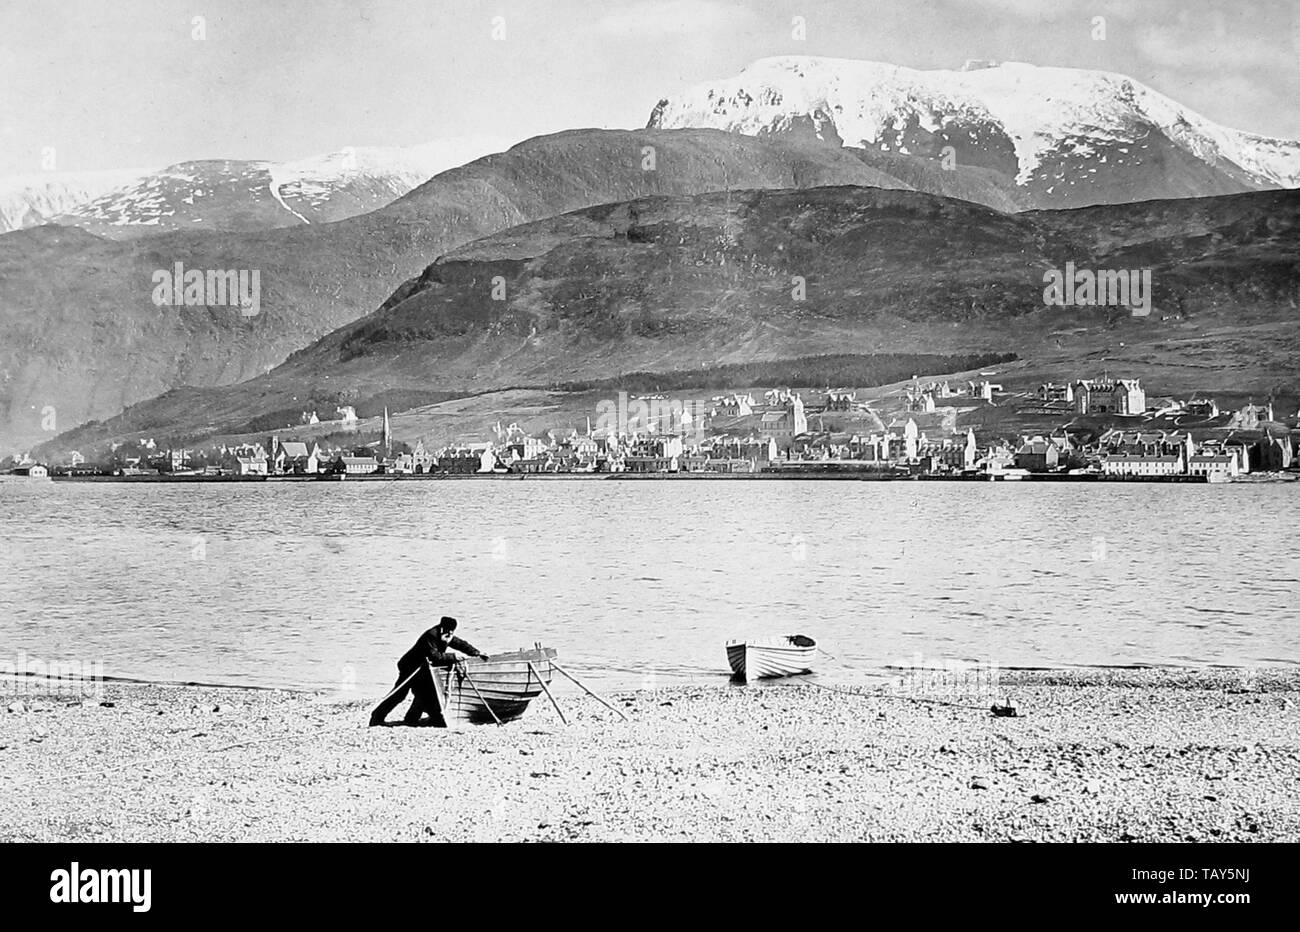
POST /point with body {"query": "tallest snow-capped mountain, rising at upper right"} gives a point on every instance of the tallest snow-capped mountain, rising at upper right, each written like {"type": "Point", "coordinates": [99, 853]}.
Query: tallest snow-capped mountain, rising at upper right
{"type": "Point", "coordinates": [1067, 137]}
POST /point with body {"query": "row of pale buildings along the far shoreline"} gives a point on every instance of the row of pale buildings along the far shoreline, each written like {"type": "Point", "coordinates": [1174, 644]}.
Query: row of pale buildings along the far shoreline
{"type": "Point", "coordinates": [744, 434]}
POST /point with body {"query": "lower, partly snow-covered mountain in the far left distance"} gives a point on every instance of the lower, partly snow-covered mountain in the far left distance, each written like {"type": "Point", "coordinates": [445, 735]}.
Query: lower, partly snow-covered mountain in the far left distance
{"type": "Point", "coordinates": [248, 196]}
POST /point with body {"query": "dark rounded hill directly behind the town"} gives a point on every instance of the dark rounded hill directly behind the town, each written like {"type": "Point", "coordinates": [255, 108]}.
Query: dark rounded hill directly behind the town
{"type": "Point", "coordinates": [691, 283]}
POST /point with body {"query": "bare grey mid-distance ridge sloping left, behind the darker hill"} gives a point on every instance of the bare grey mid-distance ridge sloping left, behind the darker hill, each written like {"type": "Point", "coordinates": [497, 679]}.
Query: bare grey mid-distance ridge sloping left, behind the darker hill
{"type": "Point", "coordinates": [85, 337]}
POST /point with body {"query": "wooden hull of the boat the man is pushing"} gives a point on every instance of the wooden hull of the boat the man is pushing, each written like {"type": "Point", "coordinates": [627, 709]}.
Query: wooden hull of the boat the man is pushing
{"type": "Point", "coordinates": [504, 686]}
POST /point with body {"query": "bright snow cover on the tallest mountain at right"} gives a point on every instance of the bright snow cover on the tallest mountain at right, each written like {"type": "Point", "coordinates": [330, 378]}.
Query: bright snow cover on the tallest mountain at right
{"type": "Point", "coordinates": [1039, 110]}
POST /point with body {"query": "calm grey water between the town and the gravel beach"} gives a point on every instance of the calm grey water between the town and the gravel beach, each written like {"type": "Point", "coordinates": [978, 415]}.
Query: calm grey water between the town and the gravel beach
{"type": "Point", "coordinates": [323, 586]}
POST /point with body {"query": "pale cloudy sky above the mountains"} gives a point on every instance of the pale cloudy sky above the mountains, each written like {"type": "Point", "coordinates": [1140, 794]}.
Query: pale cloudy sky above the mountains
{"type": "Point", "coordinates": [148, 84]}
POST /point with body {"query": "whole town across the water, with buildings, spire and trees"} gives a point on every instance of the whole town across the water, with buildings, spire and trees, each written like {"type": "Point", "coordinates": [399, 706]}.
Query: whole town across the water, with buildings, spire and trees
{"type": "Point", "coordinates": [1091, 430]}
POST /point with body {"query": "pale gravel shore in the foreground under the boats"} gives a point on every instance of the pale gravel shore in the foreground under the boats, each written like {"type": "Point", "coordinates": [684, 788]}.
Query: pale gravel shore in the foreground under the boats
{"type": "Point", "coordinates": [1115, 756]}
